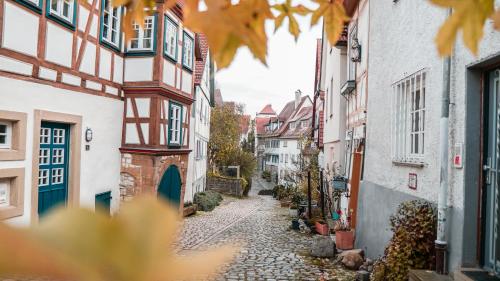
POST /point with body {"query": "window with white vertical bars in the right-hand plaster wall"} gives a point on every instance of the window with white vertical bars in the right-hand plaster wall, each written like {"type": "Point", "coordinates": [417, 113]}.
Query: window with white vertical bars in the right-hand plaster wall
{"type": "Point", "coordinates": [408, 118]}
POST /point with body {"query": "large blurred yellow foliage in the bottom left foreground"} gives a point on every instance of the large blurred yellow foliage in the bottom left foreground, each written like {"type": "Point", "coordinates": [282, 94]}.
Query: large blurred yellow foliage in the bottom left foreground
{"type": "Point", "coordinates": [79, 244]}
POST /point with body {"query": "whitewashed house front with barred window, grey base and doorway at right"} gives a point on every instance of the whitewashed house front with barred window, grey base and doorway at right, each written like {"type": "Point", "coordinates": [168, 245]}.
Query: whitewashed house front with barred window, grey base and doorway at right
{"type": "Point", "coordinates": [403, 133]}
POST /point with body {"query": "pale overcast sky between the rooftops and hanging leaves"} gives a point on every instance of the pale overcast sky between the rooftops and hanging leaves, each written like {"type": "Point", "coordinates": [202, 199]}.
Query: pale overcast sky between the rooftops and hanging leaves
{"type": "Point", "coordinates": [290, 67]}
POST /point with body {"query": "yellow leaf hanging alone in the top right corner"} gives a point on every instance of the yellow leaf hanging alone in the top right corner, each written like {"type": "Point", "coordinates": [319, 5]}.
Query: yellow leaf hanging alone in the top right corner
{"type": "Point", "coordinates": [468, 16]}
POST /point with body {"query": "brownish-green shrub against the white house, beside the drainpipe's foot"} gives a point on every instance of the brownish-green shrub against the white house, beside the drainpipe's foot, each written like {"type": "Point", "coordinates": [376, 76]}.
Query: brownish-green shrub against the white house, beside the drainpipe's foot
{"type": "Point", "coordinates": [412, 245]}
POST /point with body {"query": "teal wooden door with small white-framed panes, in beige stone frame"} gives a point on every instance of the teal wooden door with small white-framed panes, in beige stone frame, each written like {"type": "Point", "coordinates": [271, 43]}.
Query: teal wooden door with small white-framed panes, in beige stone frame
{"type": "Point", "coordinates": [53, 158]}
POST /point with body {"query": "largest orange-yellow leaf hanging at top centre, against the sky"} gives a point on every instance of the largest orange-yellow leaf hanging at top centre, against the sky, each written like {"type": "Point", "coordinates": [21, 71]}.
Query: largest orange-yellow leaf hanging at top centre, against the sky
{"type": "Point", "coordinates": [228, 27]}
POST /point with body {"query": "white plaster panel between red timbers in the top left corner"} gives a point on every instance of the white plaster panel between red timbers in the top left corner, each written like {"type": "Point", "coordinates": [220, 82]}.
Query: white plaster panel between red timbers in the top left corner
{"type": "Point", "coordinates": [17, 21]}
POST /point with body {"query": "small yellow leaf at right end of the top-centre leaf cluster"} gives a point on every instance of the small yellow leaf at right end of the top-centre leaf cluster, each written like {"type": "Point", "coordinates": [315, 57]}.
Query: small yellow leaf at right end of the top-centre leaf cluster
{"type": "Point", "coordinates": [334, 17]}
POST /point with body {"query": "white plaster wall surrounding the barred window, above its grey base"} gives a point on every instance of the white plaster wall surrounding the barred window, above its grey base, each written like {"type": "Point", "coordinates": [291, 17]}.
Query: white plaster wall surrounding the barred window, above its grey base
{"type": "Point", "coordinates": [411, 49]}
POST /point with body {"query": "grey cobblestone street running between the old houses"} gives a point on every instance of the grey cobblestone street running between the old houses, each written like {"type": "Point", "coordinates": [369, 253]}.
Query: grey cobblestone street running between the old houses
{"type": "Point", "coordinates": [270, 251]}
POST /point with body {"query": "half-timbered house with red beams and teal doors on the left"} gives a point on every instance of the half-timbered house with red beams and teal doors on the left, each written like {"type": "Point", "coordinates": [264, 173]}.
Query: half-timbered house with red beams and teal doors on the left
{"type": "Point", "coordinates": [85, 117]}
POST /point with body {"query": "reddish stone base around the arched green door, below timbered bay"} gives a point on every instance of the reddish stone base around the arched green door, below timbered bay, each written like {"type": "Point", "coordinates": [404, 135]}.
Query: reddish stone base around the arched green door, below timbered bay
{"type": "Point", "coordinates": [141, 174]}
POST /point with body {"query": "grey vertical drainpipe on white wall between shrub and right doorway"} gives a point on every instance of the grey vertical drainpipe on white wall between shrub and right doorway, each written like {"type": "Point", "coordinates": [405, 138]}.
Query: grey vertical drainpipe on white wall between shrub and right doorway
{"type": "Point", "coordinates": [441, 242]}
